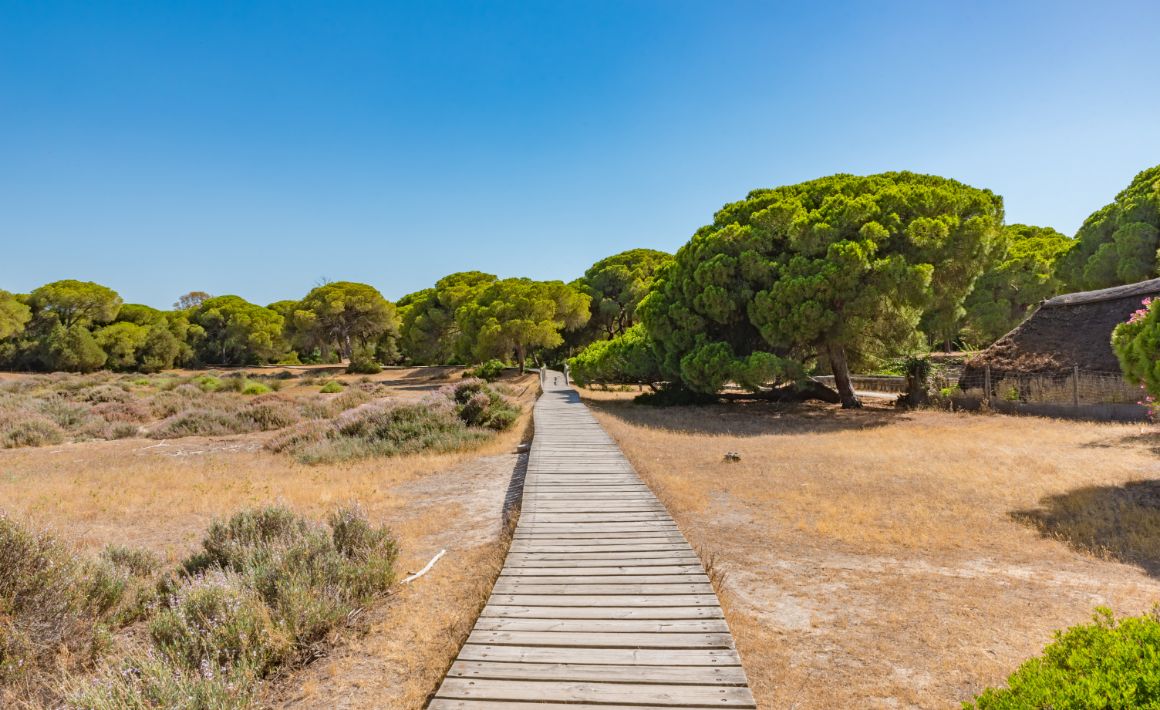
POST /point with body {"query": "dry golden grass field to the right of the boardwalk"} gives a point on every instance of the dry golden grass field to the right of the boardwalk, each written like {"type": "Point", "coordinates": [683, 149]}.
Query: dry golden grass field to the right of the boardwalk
{"type": "Point", "coordinates": [880, 559]}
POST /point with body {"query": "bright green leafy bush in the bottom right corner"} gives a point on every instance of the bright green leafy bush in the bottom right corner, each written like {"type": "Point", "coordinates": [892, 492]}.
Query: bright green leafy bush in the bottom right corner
{"type": "Point", "coordinates": [1106, 665]}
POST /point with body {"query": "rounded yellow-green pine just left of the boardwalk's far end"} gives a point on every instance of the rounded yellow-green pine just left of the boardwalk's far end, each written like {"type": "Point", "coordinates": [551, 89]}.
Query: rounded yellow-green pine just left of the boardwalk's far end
{"type": "Point", "coordinates": [518, 316]}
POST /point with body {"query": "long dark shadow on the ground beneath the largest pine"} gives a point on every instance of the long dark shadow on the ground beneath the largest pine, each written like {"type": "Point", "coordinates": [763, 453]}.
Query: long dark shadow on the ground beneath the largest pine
{"type": "Point", "coordinates": [752, 418]}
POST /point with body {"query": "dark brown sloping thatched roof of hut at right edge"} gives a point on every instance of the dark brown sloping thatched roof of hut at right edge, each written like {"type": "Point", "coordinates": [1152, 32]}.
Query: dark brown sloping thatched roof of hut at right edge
{"type": "Point", "coordinates": [1068, 331]}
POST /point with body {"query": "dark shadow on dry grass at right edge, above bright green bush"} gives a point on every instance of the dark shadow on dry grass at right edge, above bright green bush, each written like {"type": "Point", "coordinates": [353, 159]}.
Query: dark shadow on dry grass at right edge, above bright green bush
{"type": "Point", "coordinates": [1114, 523]}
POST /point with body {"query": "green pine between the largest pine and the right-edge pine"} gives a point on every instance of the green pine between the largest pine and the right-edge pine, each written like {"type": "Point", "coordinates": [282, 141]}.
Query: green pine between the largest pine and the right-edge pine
{"type": "Point", "coordinates": [1023, 276]}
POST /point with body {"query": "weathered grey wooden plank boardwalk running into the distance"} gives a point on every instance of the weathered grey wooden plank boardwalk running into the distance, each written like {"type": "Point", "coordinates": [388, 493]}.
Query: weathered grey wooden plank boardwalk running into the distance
{"type": "Point", "coordinates": [601, 603]}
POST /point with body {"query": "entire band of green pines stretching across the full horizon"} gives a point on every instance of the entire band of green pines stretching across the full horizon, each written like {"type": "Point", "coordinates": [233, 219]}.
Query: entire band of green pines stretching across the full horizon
{"type": "Point", "coordinates": [830, 276]}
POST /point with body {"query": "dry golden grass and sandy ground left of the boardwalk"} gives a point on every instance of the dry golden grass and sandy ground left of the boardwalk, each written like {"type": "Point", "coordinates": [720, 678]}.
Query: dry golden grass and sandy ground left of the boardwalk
{"type": "Point", "coordinates": [163, 496]}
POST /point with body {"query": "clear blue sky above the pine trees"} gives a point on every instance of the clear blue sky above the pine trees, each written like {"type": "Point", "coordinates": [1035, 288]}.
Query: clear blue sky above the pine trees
{"type": "Point", "coordinates": [258, 148]}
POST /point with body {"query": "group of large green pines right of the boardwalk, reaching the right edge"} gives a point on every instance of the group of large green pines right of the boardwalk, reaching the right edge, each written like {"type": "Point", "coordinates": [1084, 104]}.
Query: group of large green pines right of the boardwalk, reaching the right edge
{"type": "Point", "coordinates": [846, 272]}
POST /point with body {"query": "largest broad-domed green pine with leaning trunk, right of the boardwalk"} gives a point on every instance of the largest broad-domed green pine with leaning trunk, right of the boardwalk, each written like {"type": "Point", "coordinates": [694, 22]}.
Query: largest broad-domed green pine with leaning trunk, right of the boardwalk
{"type": "Point", "coordinates": [838, 269]}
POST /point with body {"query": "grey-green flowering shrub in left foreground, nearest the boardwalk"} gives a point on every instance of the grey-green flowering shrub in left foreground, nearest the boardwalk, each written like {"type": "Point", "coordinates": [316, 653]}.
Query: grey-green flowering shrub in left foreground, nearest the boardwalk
{"type": "Point", "coordinates": [267, 588]}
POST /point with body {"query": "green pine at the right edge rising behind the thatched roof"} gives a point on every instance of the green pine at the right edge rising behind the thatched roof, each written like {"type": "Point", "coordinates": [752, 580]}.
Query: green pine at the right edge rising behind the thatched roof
{"type": "Point", "coordinates": [1119, 243]}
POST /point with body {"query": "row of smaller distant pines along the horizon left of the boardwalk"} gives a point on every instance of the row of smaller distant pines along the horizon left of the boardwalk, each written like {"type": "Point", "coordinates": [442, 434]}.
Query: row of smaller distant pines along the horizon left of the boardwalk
{"type": "Point", "coordinates": [84, 327]}
